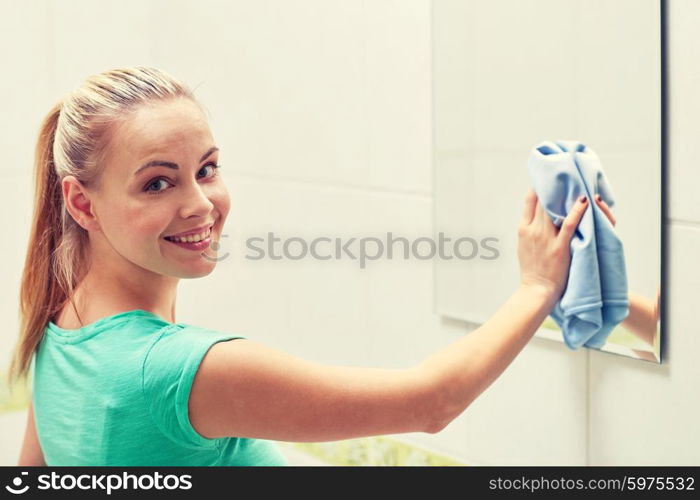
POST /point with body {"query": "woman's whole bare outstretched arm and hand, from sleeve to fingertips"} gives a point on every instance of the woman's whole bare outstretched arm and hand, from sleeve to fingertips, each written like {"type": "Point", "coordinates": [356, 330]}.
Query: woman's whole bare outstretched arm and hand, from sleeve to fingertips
{"type": "Point", "coordinates": [245, 389]}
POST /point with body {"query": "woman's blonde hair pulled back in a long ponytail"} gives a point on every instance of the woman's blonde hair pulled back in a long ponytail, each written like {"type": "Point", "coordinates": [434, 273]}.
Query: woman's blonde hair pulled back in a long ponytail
{"type": "Point", "coordinates": [72, 140]}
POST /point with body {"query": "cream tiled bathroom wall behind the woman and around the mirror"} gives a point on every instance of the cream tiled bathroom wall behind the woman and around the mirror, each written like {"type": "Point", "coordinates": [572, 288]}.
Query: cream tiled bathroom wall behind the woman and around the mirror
{"type": "Point", "coordinates": [323, 114]}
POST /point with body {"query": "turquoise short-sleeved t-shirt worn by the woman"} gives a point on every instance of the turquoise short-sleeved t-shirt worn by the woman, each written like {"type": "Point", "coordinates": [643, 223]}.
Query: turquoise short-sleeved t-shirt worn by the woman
{"type": "Point", "coordinates": [115, 392]}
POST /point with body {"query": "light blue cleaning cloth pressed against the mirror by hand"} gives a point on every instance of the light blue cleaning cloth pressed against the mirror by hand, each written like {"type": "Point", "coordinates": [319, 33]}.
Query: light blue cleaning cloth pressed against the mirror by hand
{"type": "Point", "coordinates": [595, 299]}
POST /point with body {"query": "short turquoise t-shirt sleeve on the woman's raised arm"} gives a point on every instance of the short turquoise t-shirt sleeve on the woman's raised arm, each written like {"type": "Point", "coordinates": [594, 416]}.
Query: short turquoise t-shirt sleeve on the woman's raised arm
{"type": "Point", "coordinates": [169, 368]}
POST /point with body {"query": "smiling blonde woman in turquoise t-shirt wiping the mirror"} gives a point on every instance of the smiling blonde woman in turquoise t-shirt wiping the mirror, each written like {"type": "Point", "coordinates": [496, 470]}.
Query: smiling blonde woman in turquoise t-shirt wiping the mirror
{"type": "Point", "coordinates": [127, 163]}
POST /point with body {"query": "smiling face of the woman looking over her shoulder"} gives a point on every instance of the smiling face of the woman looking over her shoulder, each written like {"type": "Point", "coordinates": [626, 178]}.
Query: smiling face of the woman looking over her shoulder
{"type": "Point", "coordinates": [161, 179]}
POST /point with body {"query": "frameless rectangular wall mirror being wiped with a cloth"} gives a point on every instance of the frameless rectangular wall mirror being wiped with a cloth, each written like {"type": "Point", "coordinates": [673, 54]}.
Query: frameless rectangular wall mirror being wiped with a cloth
{"type": "Point", "coordinates": [508, 75]}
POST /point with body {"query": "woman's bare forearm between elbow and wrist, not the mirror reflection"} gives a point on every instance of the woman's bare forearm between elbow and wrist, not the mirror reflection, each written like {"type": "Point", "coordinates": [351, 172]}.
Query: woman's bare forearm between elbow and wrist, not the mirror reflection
{"type": "Point", "coordinates": [463, 370]}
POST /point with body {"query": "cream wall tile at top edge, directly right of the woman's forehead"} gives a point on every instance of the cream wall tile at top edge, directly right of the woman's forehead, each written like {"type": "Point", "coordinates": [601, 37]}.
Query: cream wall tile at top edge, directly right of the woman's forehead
{"type": "Point", "coordinates": [286, 81]}
